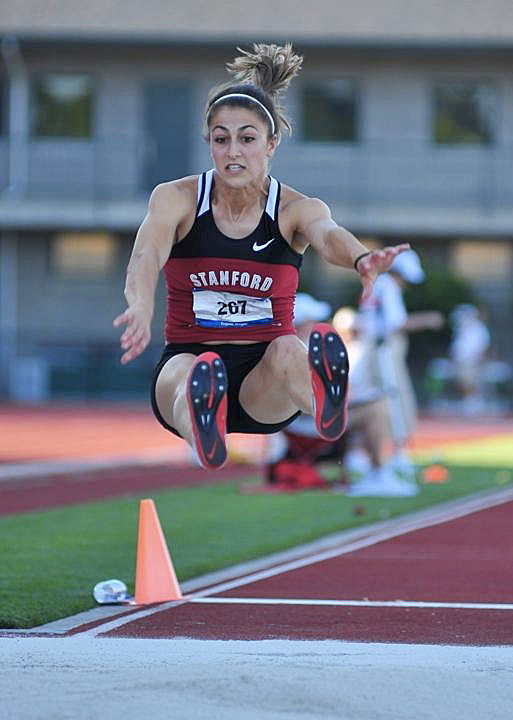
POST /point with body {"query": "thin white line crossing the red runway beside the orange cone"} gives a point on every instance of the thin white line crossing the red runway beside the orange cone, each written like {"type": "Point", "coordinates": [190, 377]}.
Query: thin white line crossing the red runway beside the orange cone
{"type": "Point", "coordinates": [353, 603]}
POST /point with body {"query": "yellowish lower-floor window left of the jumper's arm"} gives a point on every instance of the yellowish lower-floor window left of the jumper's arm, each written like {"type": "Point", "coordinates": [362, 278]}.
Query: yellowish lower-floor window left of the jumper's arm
{"type": "Point", "coordinates": [83, 254]}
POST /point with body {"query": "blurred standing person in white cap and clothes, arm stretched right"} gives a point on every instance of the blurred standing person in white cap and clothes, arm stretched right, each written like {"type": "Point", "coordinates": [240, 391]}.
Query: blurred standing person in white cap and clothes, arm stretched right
{"type": "Point", "coordinates": [386, 325]}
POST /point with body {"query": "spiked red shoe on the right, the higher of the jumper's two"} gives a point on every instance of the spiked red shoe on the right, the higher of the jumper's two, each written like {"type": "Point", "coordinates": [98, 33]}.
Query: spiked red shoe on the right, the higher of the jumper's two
{"type": "Point", "coordinates": [329, 367]}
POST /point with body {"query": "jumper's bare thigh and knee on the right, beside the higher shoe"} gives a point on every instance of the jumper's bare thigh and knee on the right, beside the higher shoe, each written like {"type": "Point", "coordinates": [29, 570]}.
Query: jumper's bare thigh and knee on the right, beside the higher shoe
{"type": "Point", "coordinates": [265, 393]}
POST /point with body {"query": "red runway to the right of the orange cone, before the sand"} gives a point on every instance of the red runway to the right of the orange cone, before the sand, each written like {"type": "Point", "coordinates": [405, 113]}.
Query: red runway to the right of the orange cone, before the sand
{"type": "Point", "coordinates": [466, 560]}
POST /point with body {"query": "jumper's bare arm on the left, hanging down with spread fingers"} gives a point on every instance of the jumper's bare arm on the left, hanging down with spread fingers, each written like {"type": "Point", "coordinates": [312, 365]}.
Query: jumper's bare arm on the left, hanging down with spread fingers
{"type": "Point", "coordinates": [167, 207]}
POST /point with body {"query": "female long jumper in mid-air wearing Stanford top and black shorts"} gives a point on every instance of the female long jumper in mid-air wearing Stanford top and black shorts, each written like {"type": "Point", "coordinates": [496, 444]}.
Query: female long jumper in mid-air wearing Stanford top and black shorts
{"type": "Point", "coordinates": [230, 242]}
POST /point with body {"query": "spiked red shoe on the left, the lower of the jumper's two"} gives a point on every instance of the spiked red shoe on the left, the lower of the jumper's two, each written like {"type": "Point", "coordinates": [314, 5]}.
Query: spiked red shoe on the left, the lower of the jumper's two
{"type": "Point", "coordinates": [206, 396]}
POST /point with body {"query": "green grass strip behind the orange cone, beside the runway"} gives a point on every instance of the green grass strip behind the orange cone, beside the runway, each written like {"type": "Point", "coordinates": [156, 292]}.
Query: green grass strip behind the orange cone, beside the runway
{"type": "Point", "coordinates": [50, 561]}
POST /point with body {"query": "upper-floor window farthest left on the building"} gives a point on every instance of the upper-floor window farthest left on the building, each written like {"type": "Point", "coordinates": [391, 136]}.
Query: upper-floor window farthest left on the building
{"type": "Point", "coordinates": [62, 106]}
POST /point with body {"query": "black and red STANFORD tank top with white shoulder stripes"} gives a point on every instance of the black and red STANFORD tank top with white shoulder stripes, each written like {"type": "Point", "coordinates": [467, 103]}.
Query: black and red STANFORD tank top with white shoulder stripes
{"type": "Point", "coordinates": [221, 288]}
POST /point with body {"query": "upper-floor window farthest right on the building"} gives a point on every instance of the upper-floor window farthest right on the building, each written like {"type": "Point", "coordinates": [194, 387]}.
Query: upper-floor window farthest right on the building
{"type": "Point", "coordinates": [465, 113]}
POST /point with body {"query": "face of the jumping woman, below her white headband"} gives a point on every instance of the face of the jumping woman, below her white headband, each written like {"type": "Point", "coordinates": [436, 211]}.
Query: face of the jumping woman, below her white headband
{"type": "Point", "coordinates": [240, 145]}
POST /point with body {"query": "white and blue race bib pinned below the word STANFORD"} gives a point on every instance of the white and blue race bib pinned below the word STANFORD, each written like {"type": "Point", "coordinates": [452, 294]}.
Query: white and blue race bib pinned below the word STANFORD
{"type": "Point", "coordinates": [217, 308]}
